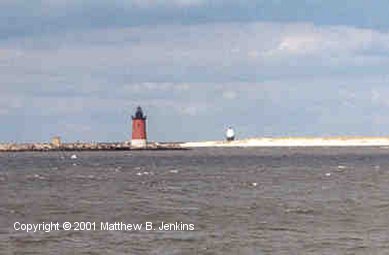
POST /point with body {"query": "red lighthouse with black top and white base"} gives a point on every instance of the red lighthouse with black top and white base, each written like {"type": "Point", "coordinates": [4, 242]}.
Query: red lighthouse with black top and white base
{"type": "Point", "coordinates": [139, 138]}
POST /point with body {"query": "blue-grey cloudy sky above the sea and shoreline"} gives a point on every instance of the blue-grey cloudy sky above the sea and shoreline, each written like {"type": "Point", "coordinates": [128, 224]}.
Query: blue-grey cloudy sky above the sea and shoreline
{"type": "Point", "coordinates": [79, 69]}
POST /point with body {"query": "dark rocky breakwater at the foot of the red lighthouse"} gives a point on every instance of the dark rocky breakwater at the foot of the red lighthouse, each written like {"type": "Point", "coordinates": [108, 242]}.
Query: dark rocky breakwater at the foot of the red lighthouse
{"type": "Point", "coordinates": [78, 146]}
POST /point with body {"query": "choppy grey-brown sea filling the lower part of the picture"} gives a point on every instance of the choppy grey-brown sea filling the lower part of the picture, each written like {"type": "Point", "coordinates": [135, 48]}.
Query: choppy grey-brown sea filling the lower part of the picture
{"type": "Point", "coordinates": [239, 200]}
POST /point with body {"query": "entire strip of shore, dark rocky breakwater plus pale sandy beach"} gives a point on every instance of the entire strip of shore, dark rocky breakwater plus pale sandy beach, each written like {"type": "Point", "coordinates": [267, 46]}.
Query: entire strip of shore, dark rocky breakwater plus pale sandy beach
{"type": "Point", "coordinates": [341, 141]}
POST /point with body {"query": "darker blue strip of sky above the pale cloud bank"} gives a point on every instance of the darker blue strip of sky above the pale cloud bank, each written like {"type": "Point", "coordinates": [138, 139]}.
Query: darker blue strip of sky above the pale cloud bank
{"type": "Point", "coordinates": [35, 17]}
